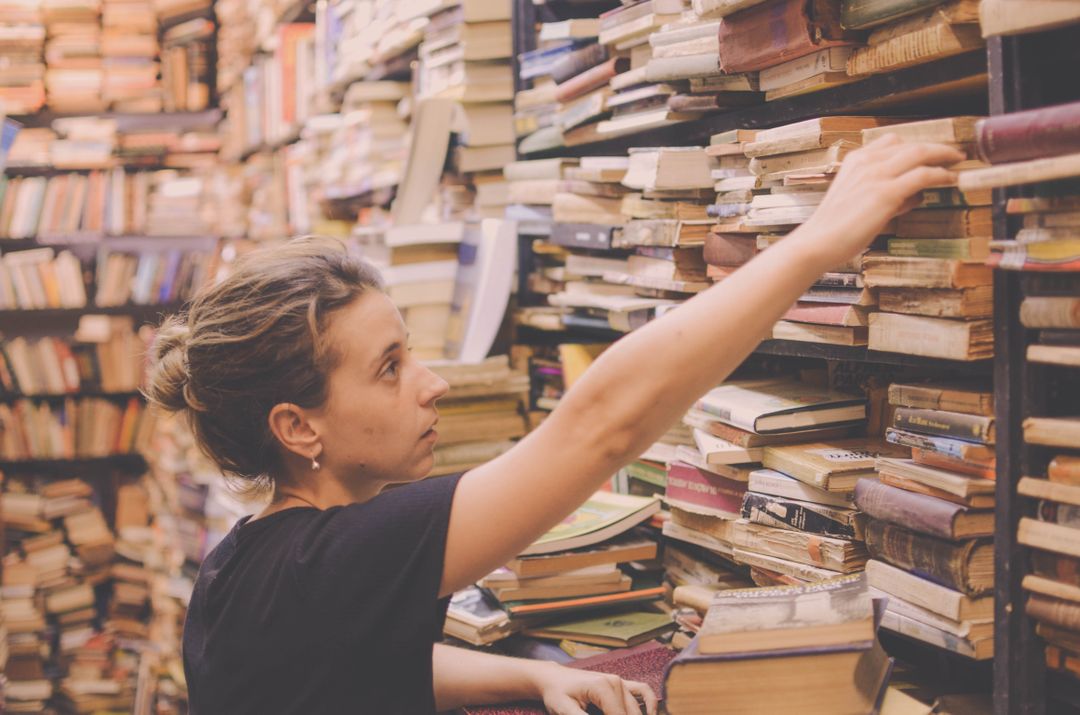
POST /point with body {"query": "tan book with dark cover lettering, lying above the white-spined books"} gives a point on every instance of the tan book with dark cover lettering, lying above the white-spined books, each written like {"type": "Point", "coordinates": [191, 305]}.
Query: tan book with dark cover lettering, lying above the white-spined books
{"type": "Point", "coordinates": [834, 465]}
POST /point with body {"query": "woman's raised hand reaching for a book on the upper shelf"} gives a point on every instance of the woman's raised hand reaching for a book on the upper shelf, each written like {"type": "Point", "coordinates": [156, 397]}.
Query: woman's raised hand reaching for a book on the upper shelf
{"type": "Point", "coordinates": [875, 184]}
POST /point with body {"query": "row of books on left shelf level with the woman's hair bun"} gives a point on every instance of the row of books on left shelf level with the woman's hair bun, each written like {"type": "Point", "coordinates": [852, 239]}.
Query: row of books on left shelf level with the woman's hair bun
{"type": "Point", "coordinates": [111, 359]}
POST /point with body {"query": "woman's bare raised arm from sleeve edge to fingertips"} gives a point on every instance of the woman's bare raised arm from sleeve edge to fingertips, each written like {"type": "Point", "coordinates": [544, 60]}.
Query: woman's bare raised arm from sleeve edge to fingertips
{"type": "Point", "coordinates": [646, 382]}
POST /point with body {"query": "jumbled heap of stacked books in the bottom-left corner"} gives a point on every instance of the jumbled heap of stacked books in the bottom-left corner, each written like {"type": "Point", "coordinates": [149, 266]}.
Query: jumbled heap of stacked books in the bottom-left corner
{"type": "Point", "coordinates": [61, 557]}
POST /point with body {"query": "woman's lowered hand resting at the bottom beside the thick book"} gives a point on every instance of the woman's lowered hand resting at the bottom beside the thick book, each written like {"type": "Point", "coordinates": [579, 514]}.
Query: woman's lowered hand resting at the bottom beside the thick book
{"type": "Point", "coordinates": [570, 692]}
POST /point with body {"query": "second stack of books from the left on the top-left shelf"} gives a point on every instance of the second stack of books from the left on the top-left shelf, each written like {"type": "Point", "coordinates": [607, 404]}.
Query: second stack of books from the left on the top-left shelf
{"type": "Point", "coordinates": [75, 76]}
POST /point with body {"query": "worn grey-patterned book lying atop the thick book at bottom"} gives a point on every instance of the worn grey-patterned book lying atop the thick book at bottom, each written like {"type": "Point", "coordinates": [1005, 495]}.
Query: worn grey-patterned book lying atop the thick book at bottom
{"type": "Point", "coordinates": [747, 622]}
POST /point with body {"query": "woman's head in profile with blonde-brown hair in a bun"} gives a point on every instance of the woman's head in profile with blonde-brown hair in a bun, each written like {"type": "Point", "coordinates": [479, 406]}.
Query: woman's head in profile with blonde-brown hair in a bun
{"type": "Point", "coordinates": [300, 356]}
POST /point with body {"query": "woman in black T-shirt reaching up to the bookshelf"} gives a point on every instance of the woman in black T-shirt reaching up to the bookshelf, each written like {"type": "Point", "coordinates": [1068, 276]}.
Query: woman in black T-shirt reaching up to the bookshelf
{"type": "Point", "coordinates": [296, 376]}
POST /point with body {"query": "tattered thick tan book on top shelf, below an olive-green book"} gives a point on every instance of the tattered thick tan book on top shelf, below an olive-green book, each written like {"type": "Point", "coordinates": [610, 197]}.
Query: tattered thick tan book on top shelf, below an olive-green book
{"type": "Point", "coordinates": [934, 41]}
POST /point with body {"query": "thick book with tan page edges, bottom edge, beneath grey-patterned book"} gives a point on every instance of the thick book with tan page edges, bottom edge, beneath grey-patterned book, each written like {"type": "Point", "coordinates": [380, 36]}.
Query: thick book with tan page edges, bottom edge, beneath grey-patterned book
{"type": "Point", "coordinates": [844, 680]}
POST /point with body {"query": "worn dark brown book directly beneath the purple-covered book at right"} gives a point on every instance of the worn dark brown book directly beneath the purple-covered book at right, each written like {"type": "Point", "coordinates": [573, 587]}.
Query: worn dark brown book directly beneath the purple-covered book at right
{"type": "Point", "coordinates": [927, 557]}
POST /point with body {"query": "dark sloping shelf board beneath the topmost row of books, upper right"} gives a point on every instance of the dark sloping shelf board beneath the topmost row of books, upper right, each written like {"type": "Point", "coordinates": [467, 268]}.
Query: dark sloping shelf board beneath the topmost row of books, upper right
{"type": "Point", "coordinates": [917, 90]}
